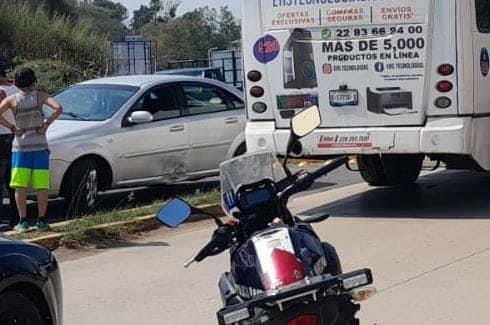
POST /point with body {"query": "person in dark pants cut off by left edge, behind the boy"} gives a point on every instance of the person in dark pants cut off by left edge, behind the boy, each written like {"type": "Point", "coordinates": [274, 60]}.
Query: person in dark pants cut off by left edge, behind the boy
{"type": "Point", "coordinates": [7, 88]}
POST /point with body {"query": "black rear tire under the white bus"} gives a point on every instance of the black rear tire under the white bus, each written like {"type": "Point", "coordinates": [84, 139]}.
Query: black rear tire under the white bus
{"type": "Point", "coordinates": [390, 170]}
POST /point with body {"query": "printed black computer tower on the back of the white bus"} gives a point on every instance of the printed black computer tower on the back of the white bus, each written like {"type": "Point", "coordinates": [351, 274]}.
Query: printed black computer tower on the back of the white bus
{"type": "Point", "coordinates": [299, 64]}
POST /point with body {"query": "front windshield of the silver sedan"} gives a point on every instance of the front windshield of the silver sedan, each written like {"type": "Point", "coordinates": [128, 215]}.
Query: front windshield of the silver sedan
{"type": "Point", "coordinates": [93, 102]}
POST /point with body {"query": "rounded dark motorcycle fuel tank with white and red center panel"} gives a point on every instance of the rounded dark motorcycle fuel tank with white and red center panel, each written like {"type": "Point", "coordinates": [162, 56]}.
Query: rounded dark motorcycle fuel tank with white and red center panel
{"type": "Point", "coordinates": [277, 257]}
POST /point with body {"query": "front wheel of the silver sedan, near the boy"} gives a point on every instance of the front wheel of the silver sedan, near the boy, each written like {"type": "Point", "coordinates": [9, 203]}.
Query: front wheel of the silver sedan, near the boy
{"type": "Point", "coordinates": [82, 187]}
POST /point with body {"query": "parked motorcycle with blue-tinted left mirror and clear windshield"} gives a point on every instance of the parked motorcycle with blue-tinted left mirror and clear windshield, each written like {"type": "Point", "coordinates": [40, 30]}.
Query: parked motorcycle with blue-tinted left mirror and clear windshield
{"type": "Point", "coordinates": [281, 272]}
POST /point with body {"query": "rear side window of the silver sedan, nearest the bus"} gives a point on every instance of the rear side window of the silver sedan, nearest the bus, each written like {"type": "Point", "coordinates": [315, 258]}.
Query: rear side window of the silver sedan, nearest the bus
{"type": "Point", "coordinates": [203, 98]}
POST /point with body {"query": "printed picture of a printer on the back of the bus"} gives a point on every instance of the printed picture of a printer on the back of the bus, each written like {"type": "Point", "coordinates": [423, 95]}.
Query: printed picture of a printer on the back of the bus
{"type": "Point", "coordinates": [390, 101]}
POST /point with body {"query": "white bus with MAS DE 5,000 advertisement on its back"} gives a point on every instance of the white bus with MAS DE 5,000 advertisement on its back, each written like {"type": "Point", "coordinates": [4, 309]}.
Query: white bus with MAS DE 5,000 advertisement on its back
{"type": "Point", "coordinates": [396, 81]}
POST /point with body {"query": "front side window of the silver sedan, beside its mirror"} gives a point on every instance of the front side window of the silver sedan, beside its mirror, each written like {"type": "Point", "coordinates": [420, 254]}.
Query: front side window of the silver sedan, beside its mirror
{"type": "Point", "coordinates": [161, 102]}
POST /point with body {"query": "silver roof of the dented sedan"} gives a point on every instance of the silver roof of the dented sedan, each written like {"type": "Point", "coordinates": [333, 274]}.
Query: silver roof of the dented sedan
{"type": "Point", "coordinates": [153, 79]}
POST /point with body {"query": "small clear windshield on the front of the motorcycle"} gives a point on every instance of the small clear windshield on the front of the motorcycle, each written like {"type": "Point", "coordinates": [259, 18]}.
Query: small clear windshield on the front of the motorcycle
{"type": "Point", "coordinates": [248, 169]}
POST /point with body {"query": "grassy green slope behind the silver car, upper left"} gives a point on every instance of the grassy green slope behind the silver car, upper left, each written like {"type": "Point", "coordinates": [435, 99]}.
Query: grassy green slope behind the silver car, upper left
{"type": "Point", "coordinates": [64, 41]}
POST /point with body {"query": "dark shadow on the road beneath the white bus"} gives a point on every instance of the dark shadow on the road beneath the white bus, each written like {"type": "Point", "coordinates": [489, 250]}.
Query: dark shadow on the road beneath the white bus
{"type": "Point", "coordinates": [442, 195]}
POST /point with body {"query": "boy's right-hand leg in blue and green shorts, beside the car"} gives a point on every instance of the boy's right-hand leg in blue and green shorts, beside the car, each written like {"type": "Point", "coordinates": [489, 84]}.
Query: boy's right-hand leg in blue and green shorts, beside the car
{"type": "Point", "coordinates": [40, 182]}
